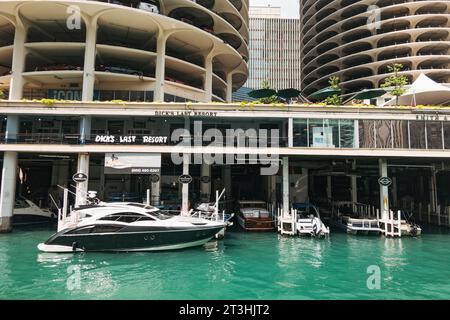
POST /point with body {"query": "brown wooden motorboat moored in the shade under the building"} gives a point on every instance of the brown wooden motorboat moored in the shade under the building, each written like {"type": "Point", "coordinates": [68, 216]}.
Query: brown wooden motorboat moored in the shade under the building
{"type": "Point", "coordinates": [254, 216]}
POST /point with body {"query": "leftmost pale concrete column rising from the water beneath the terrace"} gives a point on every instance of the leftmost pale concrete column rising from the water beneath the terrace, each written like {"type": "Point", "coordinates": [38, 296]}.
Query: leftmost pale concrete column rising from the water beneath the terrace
{"type": "Point", "coordinates": [9, 176]}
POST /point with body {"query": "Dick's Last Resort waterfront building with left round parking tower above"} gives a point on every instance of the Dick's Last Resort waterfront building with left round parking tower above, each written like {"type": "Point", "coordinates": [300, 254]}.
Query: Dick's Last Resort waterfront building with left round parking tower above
{"type": "Point", "coordinates": [134, 106]}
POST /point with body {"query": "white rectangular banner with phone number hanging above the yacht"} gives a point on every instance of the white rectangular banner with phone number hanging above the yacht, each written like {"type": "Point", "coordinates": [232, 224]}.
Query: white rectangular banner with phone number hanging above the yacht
{"type": "Point", "coordinates": [133, 163]}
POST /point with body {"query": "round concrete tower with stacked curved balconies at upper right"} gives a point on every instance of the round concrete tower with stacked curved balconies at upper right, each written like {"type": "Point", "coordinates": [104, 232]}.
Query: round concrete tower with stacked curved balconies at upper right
{"type": "Point", "coordinates": [358, 40]}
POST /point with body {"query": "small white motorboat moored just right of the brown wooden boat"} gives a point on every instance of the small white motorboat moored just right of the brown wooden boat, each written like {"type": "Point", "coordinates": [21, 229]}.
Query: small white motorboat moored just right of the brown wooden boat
{"type": "Point", "coordinates": [308, 220]}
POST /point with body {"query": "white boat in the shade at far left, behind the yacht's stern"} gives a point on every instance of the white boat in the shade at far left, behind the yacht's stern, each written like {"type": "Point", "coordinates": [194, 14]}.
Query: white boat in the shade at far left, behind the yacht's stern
{"type": "Point", "coordinates": [27, 213]}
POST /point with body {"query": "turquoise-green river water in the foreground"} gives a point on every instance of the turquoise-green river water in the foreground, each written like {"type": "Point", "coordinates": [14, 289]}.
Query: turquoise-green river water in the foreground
{"type": "Point", "coordinates": [242, 266]}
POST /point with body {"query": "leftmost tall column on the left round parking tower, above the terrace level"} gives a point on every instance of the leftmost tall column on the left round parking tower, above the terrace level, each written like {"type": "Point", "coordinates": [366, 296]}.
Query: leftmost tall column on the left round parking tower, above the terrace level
{"type": "Point", "coordinates": [18, 63]}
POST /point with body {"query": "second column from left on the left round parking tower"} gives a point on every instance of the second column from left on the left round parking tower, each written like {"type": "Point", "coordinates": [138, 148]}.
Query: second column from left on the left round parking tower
{"type": "Point", "coordinates": [89, 61]}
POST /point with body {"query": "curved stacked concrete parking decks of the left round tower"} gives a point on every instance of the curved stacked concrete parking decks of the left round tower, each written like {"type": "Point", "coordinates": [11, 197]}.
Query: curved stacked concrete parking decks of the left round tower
{"type": "Point", "coordinates": [122, 44]}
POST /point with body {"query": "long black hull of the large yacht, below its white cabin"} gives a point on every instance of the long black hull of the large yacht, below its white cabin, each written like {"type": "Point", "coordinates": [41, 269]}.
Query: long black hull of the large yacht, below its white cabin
{"type": "Point", "coordinates": [143, 240]}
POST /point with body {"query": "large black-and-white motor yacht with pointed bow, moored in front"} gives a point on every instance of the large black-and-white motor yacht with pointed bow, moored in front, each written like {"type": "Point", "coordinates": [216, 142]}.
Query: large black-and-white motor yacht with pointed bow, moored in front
{"type": "Point", "coordinates": [128, 227]}
